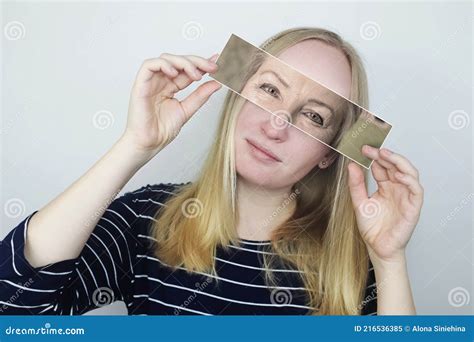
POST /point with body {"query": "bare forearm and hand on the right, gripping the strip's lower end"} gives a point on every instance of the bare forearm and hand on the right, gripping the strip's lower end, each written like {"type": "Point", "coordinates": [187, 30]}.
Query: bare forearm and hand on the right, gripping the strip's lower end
{"type": "Point", "coordinates": [386, 221]}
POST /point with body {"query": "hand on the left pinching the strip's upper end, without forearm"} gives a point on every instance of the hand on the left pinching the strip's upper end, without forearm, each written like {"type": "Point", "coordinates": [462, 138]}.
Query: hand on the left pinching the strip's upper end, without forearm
{"type": "Point", "coordinates": [155, 117]}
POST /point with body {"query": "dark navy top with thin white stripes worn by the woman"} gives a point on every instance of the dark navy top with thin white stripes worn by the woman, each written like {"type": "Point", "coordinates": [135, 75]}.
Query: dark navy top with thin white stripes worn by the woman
{"type": "Point", "coordinates": [117, 264]}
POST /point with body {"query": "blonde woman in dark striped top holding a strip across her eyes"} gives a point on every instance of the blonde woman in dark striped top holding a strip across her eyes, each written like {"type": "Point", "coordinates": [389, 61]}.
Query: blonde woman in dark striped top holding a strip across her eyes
{"type": "Point", "coordinates": [276, 223]}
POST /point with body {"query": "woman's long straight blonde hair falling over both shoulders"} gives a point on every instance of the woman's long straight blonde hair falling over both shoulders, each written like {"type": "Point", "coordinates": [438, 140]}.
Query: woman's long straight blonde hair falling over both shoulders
{"type": "Point", "coordinates": [320, 239]}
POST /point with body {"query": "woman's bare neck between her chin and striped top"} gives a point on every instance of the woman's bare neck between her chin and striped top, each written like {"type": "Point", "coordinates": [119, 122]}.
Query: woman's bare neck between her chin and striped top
{"type": "Point", "coordinates": [261, 209]}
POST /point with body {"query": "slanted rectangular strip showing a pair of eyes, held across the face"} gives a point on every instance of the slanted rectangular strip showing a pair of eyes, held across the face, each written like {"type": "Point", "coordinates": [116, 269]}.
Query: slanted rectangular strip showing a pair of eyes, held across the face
{"type": "Point", "coordinates": [299, 101]}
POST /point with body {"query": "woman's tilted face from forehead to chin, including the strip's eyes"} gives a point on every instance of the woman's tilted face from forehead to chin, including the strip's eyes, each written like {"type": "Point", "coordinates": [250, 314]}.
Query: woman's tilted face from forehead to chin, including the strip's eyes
{"type": "Point", "coordinates": [290, 96]}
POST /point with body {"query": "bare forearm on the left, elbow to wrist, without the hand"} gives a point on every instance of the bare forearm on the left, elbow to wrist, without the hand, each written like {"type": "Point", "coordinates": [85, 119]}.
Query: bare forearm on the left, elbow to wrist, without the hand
{"type": "Point", "coordinates": [80, 206]}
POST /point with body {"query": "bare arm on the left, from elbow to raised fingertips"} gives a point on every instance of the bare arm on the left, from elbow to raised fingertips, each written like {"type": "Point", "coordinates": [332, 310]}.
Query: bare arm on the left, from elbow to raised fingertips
{"type": "Point", "coordinates": [155, 118]}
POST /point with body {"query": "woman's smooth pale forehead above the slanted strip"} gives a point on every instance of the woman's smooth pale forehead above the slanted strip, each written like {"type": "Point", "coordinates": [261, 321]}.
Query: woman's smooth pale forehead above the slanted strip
{"type": "Point", "coordinates": [318, 61]}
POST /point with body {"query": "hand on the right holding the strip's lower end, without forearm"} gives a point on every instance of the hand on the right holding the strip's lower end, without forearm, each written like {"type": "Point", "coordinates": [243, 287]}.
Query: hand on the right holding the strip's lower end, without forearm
{"type": "Point", "coordinates": [386, 219]}
